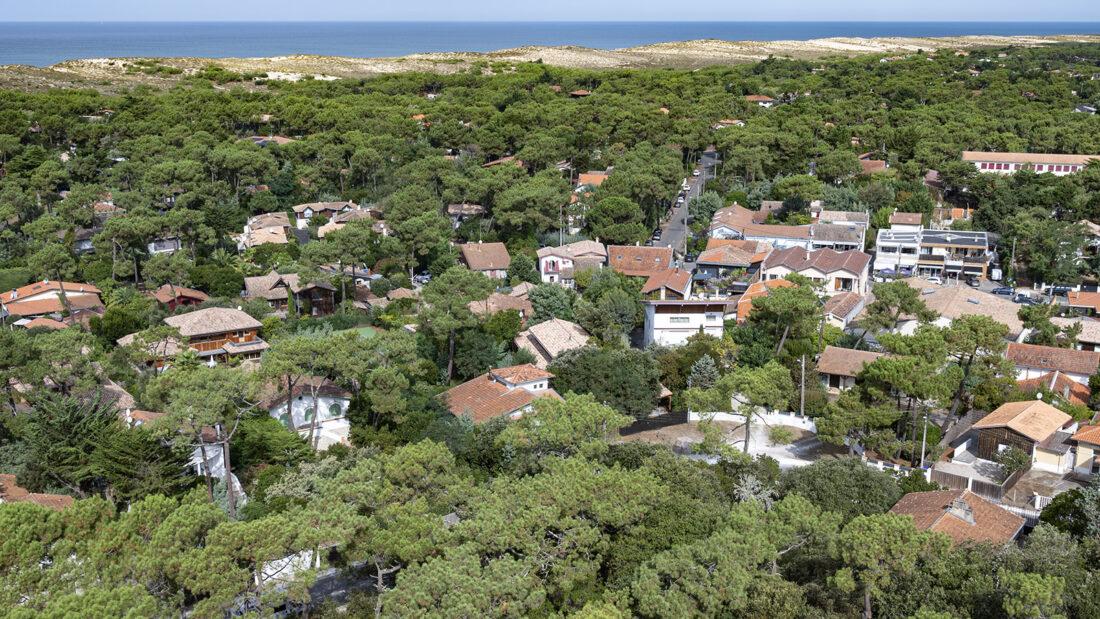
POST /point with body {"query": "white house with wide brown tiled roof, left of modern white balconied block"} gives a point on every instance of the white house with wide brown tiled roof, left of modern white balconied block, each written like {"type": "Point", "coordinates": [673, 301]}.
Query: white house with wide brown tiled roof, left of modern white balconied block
{"type": "Point", "coordinates": [838, 272]}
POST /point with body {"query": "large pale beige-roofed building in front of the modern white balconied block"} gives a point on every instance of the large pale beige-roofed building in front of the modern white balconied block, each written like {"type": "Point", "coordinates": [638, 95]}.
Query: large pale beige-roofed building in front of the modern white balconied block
{"type": "Point", "coordinates": [956, 302]}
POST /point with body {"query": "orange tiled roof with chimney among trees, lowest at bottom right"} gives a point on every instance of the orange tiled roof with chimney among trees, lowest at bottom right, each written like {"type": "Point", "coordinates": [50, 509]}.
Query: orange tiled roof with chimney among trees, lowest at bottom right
{"type": "Point", "coordinates": [961, 515]}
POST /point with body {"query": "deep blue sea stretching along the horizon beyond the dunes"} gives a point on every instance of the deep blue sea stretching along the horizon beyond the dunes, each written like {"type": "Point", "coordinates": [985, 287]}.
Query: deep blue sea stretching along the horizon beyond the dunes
{"type": "Point", "coordinates": [46, 43]}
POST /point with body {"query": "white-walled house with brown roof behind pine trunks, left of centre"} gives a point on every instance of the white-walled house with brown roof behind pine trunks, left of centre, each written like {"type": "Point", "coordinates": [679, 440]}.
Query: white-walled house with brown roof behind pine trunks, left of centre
{"type": "Point", "coordinates": [310, 394]}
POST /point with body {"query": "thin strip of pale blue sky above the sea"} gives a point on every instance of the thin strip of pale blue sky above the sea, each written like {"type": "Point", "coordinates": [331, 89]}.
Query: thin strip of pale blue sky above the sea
{"type": "Point", "coordinates": [557, 10]}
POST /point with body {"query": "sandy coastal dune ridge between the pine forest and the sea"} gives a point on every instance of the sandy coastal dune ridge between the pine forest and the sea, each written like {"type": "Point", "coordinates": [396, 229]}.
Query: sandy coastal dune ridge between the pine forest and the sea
{"type": "Point", "coordinates": [105, 73]}
